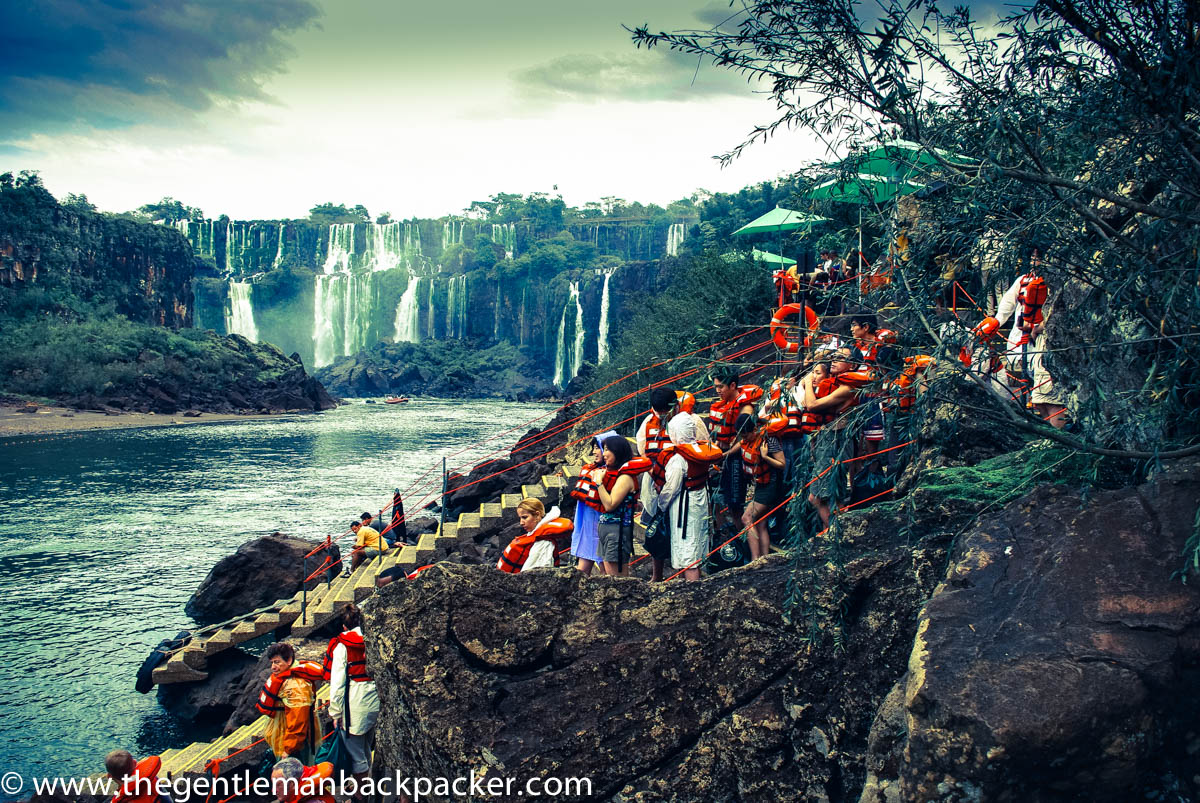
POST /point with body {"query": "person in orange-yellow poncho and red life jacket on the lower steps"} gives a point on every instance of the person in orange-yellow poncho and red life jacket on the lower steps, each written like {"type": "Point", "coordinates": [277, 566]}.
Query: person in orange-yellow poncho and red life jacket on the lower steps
{"type": "Point", "coordinates": [289, 698]}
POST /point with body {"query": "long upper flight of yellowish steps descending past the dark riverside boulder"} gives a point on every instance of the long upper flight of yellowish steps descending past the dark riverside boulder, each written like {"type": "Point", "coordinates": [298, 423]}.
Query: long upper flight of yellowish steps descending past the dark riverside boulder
{"type": "Point", "coordinates": [190, 663]}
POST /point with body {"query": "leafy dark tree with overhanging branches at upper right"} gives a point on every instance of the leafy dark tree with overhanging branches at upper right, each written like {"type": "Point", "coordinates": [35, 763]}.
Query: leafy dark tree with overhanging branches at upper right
{"type": "Point", "coordinates": [1069, 128]}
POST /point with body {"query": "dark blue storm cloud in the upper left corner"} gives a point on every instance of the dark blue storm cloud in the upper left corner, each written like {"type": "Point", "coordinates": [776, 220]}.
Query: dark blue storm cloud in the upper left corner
{"type": "Point", "coordinates": [110, 64]}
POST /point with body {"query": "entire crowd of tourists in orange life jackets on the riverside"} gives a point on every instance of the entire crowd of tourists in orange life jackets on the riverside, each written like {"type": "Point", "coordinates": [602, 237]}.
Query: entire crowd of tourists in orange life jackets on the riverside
{"type": "Point", "coordinates": [825, 432]}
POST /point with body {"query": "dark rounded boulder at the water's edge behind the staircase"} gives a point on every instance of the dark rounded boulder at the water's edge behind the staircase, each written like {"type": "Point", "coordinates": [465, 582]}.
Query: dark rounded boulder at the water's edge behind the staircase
{"type": "Point", "coordinates": [260, 573]}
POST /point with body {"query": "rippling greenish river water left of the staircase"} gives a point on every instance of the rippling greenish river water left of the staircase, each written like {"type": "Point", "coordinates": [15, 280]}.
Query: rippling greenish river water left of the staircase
{"type": "Point", "coordinates": [104, 537]}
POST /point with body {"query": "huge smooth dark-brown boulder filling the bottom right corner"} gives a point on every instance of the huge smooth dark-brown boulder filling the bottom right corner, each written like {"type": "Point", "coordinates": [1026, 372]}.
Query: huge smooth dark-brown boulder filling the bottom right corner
{"type": "Point", "coordinates": [1059, 660]}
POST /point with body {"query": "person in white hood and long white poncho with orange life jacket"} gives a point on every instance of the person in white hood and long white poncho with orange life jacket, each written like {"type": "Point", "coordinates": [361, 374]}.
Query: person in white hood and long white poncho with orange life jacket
{"type": "Point", "coordinates": [685, 495]}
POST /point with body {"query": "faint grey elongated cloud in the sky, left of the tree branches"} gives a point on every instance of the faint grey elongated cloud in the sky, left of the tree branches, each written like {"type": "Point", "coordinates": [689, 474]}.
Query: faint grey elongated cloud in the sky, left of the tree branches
{"type": "Point", "coordinates": [645, 76]}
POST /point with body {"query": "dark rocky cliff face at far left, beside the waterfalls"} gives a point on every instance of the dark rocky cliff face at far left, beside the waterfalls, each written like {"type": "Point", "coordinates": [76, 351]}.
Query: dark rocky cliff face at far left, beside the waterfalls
{"type": "Point", "coordinates": [146, 272]}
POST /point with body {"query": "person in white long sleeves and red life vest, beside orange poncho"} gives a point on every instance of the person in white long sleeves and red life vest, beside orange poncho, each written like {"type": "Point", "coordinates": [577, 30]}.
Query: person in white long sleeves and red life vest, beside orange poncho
{"type": "Point", "coordinates": [353, 702]}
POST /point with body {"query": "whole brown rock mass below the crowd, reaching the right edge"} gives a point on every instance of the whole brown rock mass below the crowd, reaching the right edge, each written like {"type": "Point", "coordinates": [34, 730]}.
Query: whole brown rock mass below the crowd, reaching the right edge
{"type": "Point", "coordinates": [1052, 661]}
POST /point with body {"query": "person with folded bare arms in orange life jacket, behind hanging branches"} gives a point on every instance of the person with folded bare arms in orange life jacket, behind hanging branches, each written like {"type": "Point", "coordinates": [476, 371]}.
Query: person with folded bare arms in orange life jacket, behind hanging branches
{"type": "Point", "coordinates": [832, 444]}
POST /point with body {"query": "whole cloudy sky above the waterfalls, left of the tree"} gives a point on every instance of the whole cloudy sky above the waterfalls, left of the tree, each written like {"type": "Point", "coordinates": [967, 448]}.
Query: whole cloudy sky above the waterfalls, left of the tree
{"type": "Point", "coordinates": [262, 109]}
